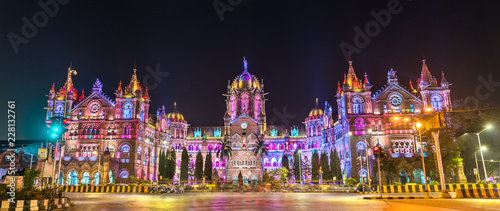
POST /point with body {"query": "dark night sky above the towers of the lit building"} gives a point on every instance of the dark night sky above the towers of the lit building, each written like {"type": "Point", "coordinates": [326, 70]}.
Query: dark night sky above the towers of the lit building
{"type": "Point", "coordinates": [292, 45]}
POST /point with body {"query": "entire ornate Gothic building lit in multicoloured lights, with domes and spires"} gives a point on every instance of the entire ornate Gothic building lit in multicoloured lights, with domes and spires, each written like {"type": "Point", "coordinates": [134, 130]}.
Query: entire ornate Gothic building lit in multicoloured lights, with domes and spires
{"type": "Point", "coordinates": [128, 138]}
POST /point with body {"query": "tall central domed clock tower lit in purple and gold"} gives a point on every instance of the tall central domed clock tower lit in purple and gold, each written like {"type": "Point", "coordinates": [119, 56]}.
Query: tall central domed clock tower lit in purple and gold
{"type": "Point", "coordinates": [244, 124]}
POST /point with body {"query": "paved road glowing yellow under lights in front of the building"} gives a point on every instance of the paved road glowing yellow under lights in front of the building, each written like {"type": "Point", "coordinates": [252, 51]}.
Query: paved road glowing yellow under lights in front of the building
{"type": "Point", "coordinates": [266, 201]}
